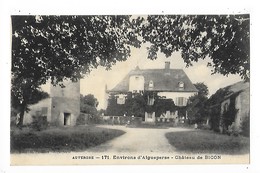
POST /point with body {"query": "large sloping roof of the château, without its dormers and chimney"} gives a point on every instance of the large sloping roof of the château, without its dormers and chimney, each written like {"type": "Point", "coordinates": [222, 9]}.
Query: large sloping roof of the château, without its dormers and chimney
{"type": "Point", "coordinates": [163, 80]}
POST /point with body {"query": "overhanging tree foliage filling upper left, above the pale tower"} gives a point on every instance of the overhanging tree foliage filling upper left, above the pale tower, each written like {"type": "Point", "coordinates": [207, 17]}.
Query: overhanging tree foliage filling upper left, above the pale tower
{"type": "Point", "coordinates": [64, 47]}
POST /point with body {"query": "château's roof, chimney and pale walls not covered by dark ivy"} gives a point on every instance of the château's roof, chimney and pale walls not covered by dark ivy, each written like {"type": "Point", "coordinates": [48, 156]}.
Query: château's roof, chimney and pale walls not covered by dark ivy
{"type": "Point", "coordinates": [167, 83]}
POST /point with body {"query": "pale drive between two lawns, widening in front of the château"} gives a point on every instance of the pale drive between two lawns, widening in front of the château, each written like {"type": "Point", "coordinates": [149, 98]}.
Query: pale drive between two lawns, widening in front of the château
{"type": "Point", "coordinates": [138, 140]}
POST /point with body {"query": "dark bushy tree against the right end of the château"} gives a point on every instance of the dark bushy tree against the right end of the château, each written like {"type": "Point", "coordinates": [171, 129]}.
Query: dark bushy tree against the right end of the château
{"type": "Point", "coordinates": [197, 108]}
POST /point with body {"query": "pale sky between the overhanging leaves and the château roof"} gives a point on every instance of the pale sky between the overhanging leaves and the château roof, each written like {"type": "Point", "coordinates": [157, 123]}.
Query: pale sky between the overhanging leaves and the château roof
{"type": "Point", "coordinates": [95, 82]}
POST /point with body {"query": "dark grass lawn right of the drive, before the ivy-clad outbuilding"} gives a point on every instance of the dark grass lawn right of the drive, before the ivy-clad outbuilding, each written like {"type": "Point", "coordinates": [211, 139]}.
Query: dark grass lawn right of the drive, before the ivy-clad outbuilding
{"type": "Point", "coordinates": [202, 141]}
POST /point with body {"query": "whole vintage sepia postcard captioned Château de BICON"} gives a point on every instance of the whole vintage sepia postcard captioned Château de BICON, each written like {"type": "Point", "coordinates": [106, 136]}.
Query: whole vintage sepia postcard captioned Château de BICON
{"type": "Point", "coordinates": [130, 89]}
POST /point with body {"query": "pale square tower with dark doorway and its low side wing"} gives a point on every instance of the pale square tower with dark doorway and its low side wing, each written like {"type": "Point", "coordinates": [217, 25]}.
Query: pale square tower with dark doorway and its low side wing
{"type": "Point", "coordinates": [62, 107]}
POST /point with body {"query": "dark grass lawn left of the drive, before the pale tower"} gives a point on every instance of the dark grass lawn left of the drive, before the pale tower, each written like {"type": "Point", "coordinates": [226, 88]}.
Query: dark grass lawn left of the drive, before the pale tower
{"type": "Point", "coordinates": [63, 139]}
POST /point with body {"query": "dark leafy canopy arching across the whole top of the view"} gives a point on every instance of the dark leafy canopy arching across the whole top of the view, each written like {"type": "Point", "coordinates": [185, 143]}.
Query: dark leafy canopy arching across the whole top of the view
{"type": "Point", "coordinates": [68, 47]}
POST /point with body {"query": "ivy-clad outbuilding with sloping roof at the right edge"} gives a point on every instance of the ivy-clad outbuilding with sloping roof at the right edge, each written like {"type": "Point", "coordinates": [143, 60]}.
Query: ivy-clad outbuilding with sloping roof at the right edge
{"type": "Point", "coordinates": [234, 108]}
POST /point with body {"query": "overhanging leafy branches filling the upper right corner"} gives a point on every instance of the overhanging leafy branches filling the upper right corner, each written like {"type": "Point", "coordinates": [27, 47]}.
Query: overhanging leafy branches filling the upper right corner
{"type": "Point", "coordinates": [223, 38]}
